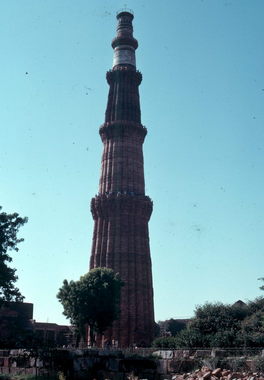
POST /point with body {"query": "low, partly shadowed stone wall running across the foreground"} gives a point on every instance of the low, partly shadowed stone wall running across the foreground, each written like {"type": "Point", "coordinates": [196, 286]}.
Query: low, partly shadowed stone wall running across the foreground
{"type": "Point", "coordinates": [121, 365]}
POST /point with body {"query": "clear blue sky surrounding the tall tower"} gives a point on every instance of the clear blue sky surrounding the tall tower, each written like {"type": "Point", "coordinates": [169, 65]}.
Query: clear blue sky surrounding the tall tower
{"type": "Point", "coordinates": [202, 101]}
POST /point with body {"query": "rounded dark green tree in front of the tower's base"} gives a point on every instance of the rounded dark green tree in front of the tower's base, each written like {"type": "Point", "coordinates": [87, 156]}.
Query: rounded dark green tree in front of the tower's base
{"type": "Point", "coordinates": [94, 300]}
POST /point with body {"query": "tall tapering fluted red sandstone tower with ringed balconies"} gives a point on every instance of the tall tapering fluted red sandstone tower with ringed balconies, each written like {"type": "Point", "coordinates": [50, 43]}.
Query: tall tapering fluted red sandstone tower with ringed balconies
{"type": "Point", "coordinates": [121, 210]}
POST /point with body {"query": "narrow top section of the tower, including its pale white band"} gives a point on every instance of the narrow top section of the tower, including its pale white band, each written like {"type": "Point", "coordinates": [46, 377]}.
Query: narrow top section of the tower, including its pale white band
{"type": "Point", "coordinates": [124, 44]}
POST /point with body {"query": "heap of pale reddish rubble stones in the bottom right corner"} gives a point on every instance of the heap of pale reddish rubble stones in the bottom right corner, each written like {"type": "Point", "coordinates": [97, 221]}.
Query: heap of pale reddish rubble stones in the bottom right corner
{"type": "Point", "coordinates": [219, 374]}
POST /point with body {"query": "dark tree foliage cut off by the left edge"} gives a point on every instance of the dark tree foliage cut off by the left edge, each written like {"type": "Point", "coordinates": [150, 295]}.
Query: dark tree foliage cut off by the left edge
{"type": "Point", "coordinates": [9, 227]}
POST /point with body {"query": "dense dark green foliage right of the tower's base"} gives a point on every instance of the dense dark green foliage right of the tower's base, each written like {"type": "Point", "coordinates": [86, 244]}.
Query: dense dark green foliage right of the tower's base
{"type": "Point", "coordinates": [221, 325]}
